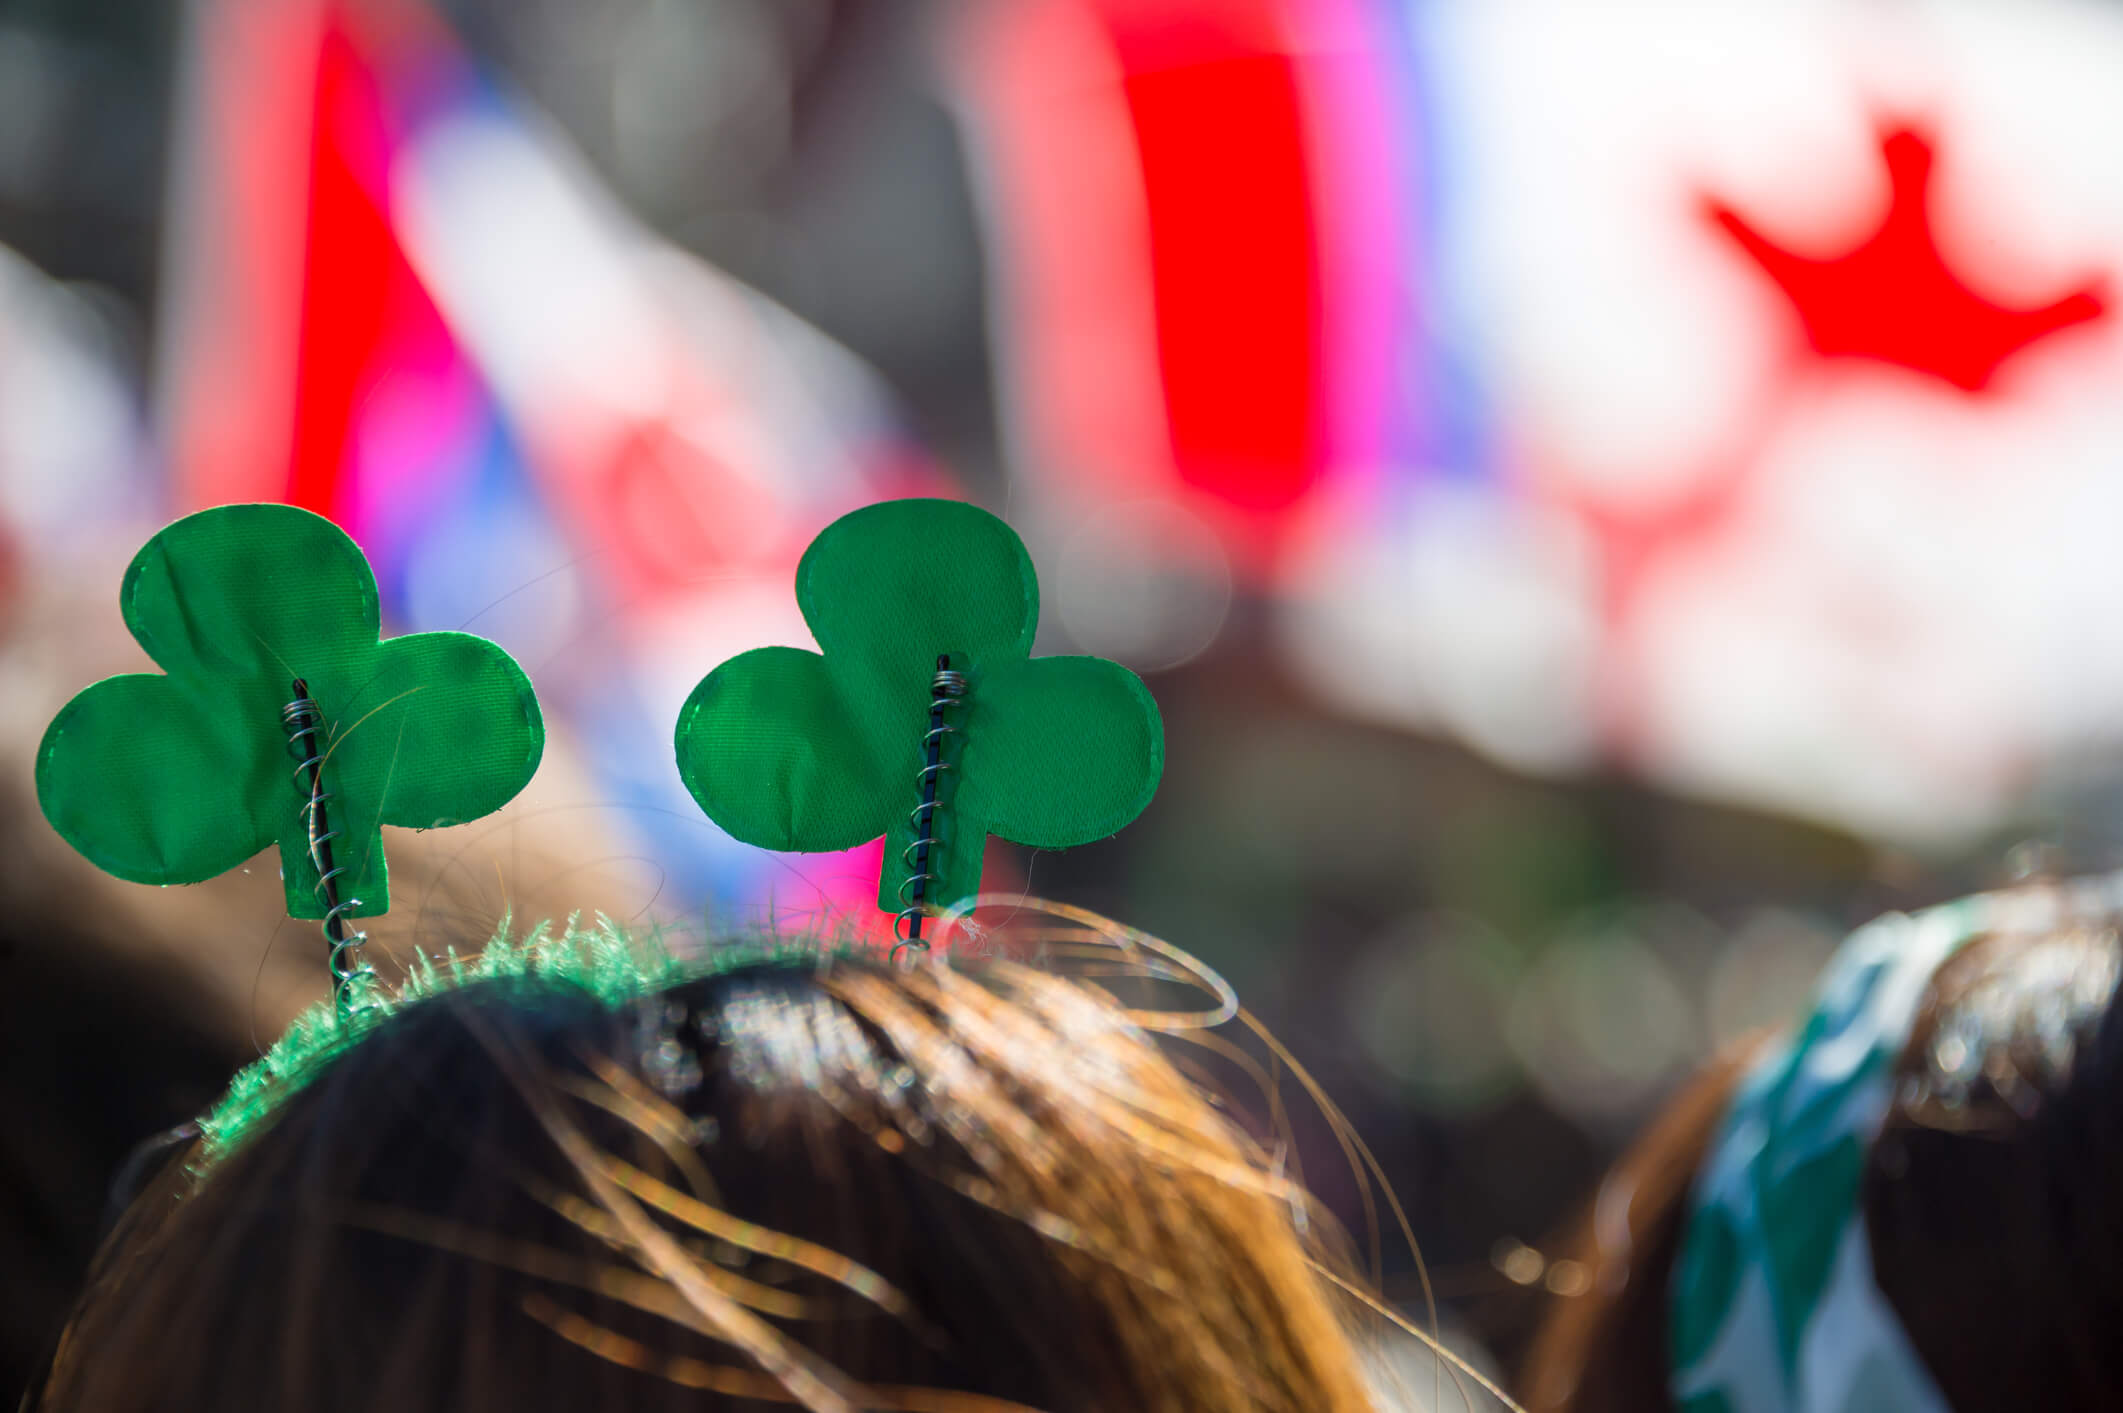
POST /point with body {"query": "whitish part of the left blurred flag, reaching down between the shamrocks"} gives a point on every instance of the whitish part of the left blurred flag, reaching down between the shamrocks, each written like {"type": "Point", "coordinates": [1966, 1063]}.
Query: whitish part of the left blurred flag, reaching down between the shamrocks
{"type": "Point", "coordinates": [687, 436]}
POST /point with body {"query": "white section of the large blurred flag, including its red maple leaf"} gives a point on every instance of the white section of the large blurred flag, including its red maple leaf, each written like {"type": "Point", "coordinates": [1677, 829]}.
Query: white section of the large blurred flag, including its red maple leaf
{"type": "Point", "coordinates": [1799, 341]}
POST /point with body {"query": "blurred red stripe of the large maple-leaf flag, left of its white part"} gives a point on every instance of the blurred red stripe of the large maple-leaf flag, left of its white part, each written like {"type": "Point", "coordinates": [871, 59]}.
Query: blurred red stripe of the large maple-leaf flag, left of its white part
{"type": "Point", "coordinates": [1198, 217]}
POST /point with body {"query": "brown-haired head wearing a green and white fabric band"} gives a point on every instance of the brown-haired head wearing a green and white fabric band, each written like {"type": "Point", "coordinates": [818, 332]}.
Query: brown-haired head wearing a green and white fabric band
{"type": "Point", "coordinates": [1984, 1193]}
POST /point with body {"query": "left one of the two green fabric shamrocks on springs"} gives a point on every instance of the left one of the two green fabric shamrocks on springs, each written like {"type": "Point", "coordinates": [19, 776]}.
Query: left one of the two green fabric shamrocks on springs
{"type": "Point", "coordinates": [179, 778]}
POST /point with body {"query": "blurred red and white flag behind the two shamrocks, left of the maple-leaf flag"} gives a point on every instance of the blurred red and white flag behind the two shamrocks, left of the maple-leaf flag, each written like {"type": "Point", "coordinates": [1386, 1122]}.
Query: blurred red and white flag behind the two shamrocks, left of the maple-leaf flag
{"type": "Point", "coordinates": [400, 300]}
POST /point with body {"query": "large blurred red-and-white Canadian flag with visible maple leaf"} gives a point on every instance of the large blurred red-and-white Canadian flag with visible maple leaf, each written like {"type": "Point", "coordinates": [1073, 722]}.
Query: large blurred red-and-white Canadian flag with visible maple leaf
{"type": "Point", "coordinates": [1721, 391]}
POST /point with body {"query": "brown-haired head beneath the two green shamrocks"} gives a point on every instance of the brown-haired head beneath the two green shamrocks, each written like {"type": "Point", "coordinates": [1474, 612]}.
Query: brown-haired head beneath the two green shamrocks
{"type": "Point", "coordinates": [812, 1181]}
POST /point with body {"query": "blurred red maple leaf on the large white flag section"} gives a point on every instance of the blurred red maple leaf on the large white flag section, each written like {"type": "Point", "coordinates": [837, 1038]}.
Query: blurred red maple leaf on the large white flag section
{"type": "Point", "coordinates": [1893, 298]}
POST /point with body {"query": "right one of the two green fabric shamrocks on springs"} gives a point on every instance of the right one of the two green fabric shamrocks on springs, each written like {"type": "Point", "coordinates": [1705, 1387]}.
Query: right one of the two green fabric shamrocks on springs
{"type": "Point", "coordinates": [818, 752]}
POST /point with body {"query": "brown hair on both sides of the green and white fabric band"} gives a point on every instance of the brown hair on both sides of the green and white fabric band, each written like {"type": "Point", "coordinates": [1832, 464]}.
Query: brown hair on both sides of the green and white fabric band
{"type": "Point", "coordinates": [1990, 1198]}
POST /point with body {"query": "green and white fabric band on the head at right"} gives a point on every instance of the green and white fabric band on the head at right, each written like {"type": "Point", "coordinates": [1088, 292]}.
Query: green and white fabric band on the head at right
{"type": "Point", "coordinates": [1774, 1299]}
